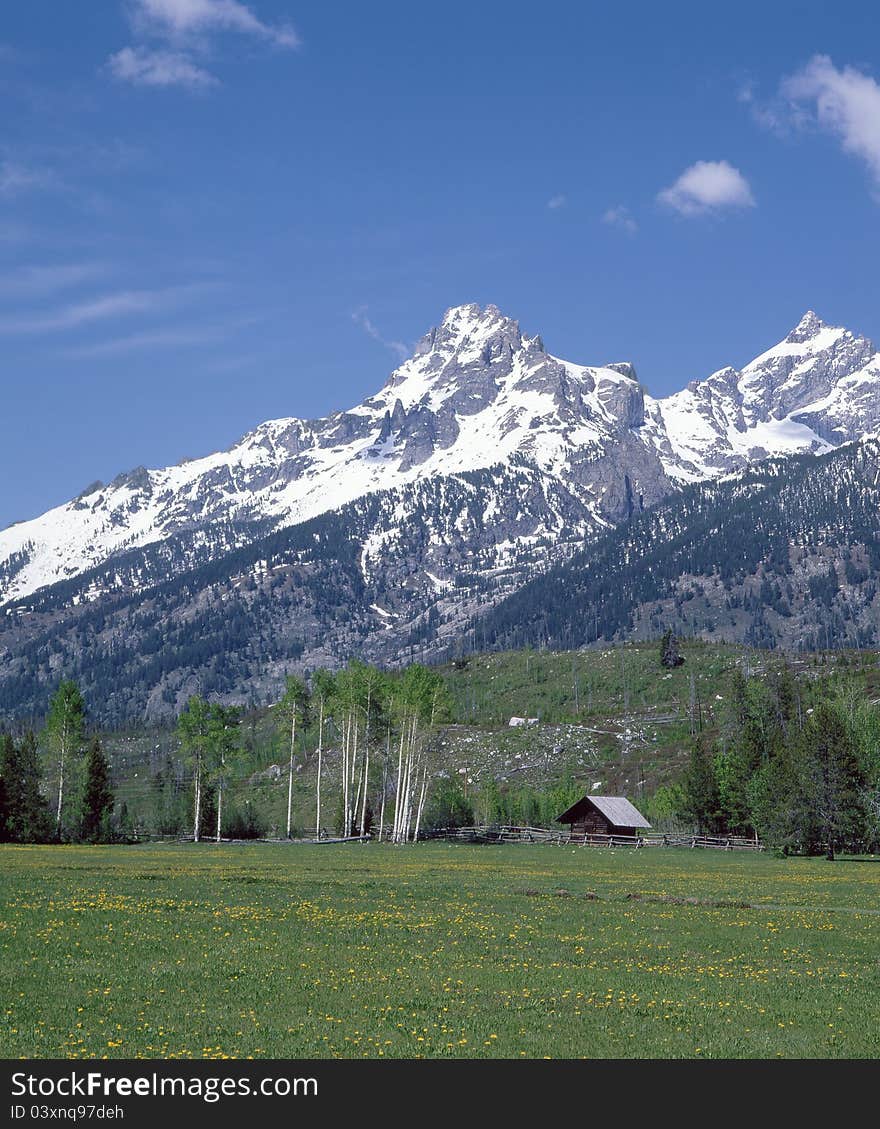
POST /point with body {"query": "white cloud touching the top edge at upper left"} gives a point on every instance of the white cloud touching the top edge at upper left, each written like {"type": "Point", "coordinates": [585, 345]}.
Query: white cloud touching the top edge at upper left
{"type": "Point", "coordinates": [172, 37]}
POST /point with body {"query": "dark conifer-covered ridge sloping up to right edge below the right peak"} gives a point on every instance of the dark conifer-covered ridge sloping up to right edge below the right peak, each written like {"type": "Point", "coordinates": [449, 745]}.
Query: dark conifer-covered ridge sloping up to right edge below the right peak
{"type": "Point", "coordinates": [786, 555]}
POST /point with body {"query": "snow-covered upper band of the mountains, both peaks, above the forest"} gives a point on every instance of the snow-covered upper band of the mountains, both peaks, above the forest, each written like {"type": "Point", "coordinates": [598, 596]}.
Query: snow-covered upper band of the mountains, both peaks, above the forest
{"type": "Point", "coordinates": [476, 395]}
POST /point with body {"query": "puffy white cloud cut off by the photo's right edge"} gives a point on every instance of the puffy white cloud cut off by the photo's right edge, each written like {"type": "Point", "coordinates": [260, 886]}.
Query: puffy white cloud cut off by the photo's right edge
{"type": "Point", "coordinates": [846, 103]}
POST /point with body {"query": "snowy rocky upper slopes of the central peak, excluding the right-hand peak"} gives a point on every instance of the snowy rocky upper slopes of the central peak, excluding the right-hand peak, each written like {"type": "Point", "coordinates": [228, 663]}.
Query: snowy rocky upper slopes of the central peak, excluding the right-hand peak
{"type": "Point", "coordinates": [476, 393]}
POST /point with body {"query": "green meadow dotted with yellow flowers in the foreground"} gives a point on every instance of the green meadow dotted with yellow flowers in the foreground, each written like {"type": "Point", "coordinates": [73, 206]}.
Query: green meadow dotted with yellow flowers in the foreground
{"type": "Point", "coordinates": [438, 951]}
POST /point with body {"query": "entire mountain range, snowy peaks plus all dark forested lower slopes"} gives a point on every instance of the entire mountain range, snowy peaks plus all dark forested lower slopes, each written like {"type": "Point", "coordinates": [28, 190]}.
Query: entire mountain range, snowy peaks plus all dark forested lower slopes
{"type": "Point", "coordinates": [421, 524]}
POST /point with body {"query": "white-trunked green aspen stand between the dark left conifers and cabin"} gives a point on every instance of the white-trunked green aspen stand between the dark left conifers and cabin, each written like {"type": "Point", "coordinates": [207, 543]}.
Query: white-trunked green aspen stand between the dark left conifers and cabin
{"type": "Point", "coordinates": [377, 725]}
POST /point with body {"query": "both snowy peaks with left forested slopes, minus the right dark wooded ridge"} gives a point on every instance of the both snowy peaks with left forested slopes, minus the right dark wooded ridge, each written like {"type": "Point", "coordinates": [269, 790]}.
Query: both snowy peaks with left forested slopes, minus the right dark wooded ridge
{"type": "Point", "coordinates": [483, 462]}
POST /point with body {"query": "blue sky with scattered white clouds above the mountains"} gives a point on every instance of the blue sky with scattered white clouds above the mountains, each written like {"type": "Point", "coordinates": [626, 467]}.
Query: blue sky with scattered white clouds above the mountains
{"type": "Point", "coordinates": [216, 213]}
